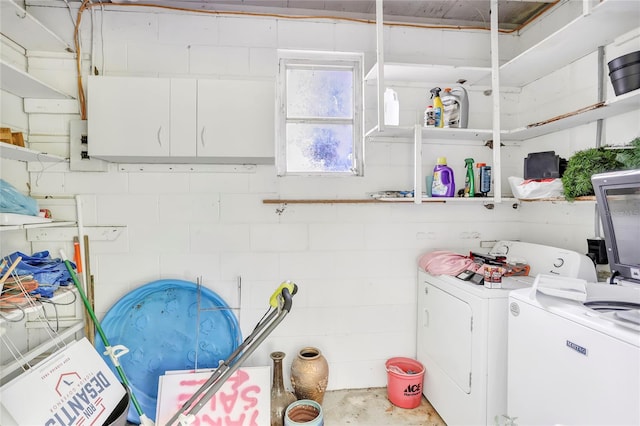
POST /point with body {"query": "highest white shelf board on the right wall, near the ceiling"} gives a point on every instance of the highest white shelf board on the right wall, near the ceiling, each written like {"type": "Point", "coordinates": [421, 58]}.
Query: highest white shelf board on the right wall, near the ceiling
{"type": "Point", "coordinates": [582, 36]}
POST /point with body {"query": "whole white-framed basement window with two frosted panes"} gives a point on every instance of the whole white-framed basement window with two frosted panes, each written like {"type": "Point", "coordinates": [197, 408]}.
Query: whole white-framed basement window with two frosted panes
{"type": "Point", "coordinates": [319, 117]}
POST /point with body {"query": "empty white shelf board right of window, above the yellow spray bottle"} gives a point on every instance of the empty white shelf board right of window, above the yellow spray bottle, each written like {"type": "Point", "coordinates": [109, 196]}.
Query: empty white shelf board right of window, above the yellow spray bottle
{"type": "Point", "coordinates": [425, 73]}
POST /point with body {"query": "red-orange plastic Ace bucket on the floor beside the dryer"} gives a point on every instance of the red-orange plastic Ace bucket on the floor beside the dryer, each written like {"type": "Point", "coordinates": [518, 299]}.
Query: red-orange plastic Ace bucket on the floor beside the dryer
{"type": "Point", "coordinates": [405, 377]}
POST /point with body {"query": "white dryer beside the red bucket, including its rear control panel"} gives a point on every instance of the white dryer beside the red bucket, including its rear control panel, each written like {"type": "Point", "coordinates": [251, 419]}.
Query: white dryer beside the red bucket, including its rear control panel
{"type": "Point", "coordinates": [462, 333]}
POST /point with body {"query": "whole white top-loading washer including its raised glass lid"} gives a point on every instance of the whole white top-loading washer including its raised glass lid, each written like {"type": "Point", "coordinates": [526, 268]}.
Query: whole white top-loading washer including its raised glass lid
{"type": "Point", "coordinates": [574, 348]}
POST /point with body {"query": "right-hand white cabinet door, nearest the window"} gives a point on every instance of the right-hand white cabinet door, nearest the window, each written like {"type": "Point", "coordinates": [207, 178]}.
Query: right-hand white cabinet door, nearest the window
{"type": "Point", "coordinates": [236, 119]}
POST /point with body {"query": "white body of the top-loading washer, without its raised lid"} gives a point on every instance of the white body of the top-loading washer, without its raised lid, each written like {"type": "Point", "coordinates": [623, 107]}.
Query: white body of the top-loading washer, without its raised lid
{"type": "Point", "coordinates": [569, 364]}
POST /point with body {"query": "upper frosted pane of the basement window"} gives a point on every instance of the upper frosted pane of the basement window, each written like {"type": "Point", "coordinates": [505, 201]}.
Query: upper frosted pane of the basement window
{"type": "Point", "coordinates": [319, 93]}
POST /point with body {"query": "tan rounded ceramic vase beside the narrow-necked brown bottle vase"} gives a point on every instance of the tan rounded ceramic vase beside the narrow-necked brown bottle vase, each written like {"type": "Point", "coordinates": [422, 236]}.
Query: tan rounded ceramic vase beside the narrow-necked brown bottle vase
{"type": "Point", "coordinates": [310, 374]}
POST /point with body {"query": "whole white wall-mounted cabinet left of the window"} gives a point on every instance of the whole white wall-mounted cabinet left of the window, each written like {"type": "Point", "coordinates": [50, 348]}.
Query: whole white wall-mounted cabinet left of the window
{"type": "Point", "coordinates": [161, 120]}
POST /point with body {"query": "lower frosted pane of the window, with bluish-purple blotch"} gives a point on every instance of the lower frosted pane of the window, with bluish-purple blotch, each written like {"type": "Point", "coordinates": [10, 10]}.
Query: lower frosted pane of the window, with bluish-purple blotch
{"type": "Point", "coordinates": [319, 148]}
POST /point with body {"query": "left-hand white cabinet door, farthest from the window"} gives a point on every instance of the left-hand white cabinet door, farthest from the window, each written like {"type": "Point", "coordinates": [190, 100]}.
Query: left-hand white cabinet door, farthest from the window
{"type": "Point", "coordinates": [128, 117]}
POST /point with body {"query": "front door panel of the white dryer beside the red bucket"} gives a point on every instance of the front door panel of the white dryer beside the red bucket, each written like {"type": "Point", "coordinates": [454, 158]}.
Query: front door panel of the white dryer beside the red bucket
{"type": "Point", "coordinates": [444, 334]}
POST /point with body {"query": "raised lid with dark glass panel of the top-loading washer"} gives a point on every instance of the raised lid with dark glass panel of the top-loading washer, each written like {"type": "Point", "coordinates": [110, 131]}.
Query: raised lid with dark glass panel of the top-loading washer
{"type": "Point", "coordinates": [618, 198]}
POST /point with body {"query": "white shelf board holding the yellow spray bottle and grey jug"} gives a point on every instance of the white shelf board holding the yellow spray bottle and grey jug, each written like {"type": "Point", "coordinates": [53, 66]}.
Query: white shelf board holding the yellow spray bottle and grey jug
{"type": "Point", "coordinates": [402, 132]}
